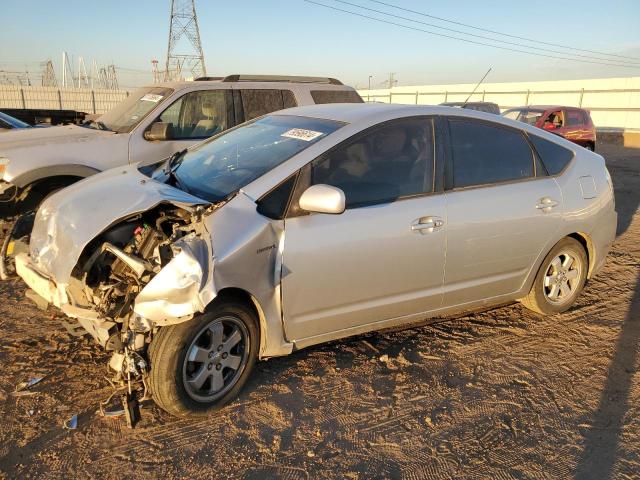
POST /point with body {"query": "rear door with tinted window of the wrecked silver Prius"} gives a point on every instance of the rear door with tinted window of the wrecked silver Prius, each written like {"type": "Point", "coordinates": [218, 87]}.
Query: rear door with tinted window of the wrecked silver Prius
{"type": "Point", "coordinates": [502, 210]}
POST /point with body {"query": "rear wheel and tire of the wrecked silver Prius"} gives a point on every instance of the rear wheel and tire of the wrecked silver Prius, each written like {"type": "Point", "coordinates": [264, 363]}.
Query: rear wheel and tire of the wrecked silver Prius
{"type": "Point", "coordinates": [555, 289]}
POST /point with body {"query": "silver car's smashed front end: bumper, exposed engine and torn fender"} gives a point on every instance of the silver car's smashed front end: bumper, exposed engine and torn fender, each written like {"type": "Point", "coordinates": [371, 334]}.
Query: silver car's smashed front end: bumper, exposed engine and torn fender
{"type": "Point", "coordinates": [146, 271]}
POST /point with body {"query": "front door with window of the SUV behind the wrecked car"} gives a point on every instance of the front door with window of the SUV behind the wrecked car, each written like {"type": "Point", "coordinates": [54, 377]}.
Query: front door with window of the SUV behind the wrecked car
{"type": "Point", "coordinates": [194, 117]}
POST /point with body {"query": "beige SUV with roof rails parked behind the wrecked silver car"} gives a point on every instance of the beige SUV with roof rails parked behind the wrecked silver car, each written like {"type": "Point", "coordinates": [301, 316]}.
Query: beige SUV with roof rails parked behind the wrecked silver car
{"type": "Point", "coordinates": [152, 123]}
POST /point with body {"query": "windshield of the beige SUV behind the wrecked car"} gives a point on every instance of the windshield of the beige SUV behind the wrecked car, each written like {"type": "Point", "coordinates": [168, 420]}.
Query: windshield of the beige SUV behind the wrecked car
{"type": "Point", "coordinates": [127, 114]}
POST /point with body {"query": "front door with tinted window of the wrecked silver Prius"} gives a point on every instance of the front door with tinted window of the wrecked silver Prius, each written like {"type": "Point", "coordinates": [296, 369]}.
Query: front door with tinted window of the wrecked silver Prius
{"type": "Point", "coordinates": [383, 257]}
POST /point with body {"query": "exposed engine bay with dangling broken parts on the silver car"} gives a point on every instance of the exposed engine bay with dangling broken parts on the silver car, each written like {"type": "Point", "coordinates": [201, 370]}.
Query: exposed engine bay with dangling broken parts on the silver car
{"type": "Point", "coordinates": [112, 271]}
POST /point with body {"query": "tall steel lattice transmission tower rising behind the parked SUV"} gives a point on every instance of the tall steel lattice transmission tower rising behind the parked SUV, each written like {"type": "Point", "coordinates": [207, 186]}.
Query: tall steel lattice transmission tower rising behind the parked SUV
{"type": "Point", "coordinates": [189, 56]}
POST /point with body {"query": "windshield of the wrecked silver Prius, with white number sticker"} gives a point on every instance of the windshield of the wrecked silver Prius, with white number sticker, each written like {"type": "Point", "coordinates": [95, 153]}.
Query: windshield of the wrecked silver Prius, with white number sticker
{"type": "Point", "coordinates": [224, 164]}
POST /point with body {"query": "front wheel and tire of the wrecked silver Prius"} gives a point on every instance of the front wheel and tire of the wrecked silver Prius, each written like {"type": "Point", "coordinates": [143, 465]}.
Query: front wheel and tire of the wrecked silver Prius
{"type": "Point", "coordinates": [174, 378]}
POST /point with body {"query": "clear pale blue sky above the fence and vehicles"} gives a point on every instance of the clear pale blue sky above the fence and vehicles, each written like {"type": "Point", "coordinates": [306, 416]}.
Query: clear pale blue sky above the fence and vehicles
{"type": "Point", "coordinates": [299, 38]}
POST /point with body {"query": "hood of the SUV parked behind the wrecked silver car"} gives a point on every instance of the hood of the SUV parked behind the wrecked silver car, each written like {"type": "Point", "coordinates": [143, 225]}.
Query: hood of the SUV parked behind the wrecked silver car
{"type": "Point", "coordinates": [25, 137]}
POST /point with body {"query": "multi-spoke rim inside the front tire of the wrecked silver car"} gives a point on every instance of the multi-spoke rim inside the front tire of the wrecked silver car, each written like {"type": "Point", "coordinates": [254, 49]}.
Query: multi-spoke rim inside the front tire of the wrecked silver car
{"type": "Point", "coordinates": [215, 359]}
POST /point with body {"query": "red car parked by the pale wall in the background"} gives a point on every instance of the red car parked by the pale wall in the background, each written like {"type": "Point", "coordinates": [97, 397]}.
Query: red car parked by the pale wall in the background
{"type": "Point", "coordinates": [572, 123]}
